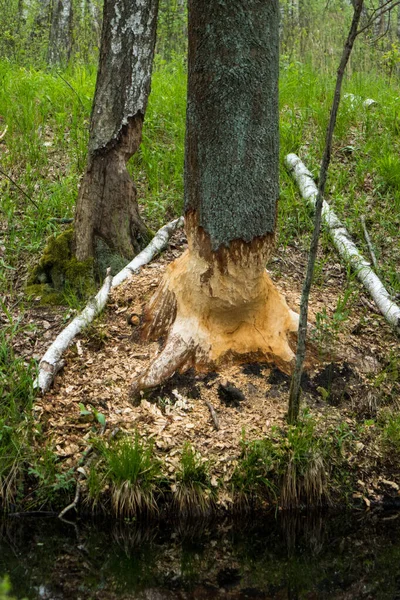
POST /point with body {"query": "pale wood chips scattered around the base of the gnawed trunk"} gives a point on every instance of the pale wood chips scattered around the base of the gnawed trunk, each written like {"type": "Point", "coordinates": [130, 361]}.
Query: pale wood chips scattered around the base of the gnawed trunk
{"type": "Point", "coordinates": [102, 363]}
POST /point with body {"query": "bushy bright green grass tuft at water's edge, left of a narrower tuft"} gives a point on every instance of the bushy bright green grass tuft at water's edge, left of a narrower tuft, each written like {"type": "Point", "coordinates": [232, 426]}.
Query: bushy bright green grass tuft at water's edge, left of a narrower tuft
{"type": "Point", "coordinates": [135, 475]}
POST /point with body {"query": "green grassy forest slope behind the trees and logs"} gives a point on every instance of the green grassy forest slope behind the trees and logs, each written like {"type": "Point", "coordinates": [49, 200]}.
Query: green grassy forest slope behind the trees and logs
{"type": "Point", "coordinates": [45, 103]}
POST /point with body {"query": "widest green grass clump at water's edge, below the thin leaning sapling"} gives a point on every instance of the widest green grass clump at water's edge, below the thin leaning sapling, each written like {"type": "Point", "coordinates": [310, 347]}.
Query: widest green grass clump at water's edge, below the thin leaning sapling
{"type": "Point", "coordinates": [292, 467]}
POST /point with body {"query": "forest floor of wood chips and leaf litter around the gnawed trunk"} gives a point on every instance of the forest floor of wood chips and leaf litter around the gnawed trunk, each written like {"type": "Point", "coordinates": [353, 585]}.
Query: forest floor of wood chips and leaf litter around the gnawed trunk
{"type": "Point", "coordinates": [349, 385]}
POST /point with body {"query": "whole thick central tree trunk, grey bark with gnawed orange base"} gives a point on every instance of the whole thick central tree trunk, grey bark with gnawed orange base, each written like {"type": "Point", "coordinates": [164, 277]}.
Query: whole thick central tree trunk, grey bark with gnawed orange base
{"type": "Point", "coordinates": [216, 301]}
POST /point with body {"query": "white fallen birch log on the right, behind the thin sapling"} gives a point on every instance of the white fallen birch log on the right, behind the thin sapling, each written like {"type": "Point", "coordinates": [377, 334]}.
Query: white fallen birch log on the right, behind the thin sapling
{"type": "Point", "coordinates": [345, 246]}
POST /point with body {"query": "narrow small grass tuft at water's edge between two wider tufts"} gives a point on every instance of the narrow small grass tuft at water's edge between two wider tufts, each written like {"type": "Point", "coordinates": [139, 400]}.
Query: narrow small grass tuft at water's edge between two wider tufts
{"type": "Point", "coordinates": [192, 492]}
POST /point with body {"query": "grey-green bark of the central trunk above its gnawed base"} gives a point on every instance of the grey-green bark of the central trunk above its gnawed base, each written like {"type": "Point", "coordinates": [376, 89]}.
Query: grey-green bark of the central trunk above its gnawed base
{"type": "Point", "coordinates": [232, 148]}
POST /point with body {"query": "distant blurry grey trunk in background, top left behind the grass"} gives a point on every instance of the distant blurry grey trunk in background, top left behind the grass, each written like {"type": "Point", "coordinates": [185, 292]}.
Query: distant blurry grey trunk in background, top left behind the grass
{"type": "Point", "coordinates": [60, 33]}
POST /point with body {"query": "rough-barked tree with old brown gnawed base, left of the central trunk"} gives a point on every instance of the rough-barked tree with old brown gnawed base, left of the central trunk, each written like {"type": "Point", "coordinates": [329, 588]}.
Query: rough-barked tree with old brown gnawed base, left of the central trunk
{"type": "Point", "coordinates": [107, 222]}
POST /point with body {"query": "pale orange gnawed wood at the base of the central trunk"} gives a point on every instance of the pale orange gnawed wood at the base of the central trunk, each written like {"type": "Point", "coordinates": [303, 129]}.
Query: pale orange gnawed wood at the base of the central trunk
{"type": "Point", "coordinates": [214, 307]}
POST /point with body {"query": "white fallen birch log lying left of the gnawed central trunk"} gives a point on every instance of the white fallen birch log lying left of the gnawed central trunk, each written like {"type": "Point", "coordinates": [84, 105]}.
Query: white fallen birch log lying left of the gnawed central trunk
{"type": "Point", "coordinates": [52, 362]}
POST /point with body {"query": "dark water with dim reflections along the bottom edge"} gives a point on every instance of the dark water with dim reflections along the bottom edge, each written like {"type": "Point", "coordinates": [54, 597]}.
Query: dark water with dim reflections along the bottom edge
{"type": "Point", "coordinates": [288, 557]}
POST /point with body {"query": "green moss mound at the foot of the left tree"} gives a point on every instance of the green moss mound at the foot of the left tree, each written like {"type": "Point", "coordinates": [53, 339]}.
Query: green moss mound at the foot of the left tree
{"type": "Point", "coordinates": [59, 275]}
